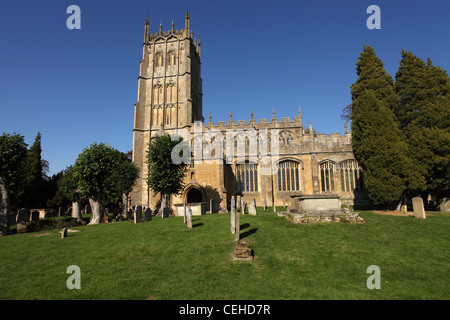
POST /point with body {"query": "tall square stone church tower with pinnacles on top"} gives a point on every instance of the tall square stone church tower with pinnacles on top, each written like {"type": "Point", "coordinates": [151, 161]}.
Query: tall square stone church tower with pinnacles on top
{"type": "Point", "coordinates": [169, 92]}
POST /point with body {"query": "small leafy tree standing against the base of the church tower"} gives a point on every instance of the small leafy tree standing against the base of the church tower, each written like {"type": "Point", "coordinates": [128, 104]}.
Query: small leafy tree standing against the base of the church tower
{"type": "Point", "coordinates": [164, 175]}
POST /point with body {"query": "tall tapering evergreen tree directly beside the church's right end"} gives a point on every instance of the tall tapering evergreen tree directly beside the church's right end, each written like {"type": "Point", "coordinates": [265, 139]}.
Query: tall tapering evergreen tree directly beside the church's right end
{"type": "Point", "coordinates": [376, 138]}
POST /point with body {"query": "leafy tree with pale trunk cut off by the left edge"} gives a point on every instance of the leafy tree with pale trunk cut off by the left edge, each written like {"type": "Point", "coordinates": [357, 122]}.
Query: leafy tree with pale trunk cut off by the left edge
{"type": "Point", "coordinates": [13, 151]}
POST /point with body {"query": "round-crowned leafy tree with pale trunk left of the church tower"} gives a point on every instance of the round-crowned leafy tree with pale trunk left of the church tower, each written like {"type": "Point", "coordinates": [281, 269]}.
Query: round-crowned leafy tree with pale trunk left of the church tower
{"type": "Point", "coordinates": [96, 171]}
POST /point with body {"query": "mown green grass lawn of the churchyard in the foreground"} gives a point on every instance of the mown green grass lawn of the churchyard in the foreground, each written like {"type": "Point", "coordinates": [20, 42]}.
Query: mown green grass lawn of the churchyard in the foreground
{"type": "Point", "coordinates": [163, 259]}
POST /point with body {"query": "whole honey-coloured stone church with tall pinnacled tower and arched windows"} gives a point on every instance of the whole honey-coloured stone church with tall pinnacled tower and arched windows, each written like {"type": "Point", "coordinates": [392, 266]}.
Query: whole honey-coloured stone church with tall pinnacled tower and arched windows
{"type": "Point", "coordinates": [265, 161]}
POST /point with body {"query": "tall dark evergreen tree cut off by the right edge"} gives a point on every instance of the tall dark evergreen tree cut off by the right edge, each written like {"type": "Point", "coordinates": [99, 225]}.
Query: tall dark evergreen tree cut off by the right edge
{"type": "Point", "coordinates": [424, 114]}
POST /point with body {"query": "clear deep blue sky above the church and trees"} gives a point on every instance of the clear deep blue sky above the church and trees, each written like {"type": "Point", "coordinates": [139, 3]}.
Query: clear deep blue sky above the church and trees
{"type": "Point", "coordinates": [79, 86]}
